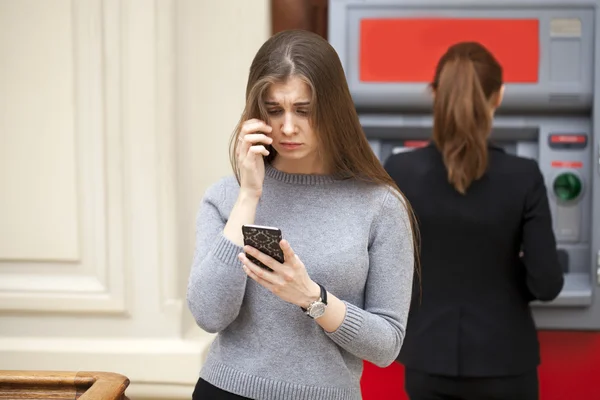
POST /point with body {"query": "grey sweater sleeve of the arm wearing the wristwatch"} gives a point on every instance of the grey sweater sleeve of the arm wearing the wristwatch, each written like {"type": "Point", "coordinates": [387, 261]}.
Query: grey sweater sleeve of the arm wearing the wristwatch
{"type": "Point", "coordinates": [376, 332]}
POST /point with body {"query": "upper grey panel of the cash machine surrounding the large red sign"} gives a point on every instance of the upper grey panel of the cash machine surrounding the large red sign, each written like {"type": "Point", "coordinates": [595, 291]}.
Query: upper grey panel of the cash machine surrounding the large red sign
{"type": "Point", "coordinates": [566, 55]}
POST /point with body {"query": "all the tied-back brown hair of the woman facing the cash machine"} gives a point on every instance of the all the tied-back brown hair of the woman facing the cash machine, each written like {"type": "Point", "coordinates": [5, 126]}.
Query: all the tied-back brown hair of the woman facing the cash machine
{"type": "Point", "coordinates": [466, 79]}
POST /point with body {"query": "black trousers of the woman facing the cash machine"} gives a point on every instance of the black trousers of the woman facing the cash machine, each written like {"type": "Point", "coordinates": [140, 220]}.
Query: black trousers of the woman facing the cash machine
{"type": "Point", "coordinates": [423, 386]}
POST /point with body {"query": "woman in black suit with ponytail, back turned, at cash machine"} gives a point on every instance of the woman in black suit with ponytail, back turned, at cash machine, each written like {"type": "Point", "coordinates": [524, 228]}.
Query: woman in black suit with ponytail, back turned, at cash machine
{"type": "Point", "coordinates": [471, 334]}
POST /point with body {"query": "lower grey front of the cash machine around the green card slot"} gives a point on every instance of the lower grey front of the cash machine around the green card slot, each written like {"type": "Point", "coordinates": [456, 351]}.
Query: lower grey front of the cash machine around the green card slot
{"type": "Point", "coordinates": [578, 306]}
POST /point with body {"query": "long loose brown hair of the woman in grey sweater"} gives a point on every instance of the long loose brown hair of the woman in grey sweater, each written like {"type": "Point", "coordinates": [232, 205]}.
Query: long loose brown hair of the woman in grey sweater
{"type": "Point", "coordinates": [342, 141]}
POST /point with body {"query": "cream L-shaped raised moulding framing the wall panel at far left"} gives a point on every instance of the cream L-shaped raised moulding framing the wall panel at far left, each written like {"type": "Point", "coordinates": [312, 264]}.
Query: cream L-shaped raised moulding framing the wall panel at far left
{"type": "Point", "coordinates": [95, 282]}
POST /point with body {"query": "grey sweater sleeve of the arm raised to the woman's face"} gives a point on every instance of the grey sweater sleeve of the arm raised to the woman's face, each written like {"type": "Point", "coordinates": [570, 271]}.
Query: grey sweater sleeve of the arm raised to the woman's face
{"type": "Point", "coordinates": [217, 282]}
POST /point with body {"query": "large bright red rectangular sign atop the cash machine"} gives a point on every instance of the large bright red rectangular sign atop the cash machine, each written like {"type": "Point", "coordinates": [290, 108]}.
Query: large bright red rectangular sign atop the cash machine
{"type": "Point", "coordinates": [406, 50]}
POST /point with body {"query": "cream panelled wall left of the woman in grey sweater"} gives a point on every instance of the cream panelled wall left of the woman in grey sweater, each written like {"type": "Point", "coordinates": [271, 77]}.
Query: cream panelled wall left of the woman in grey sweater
{"type": "Point", "coordinates": [115, 116]}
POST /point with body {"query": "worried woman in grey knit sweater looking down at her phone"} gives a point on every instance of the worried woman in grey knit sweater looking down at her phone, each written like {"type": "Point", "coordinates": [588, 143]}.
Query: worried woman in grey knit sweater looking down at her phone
{"type": "Point", "coordinates": [302, 164]}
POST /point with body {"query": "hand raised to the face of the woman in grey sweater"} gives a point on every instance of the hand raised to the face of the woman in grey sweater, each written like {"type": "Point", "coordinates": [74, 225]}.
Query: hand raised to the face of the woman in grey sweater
{"type": "Point", "coordinates": [250, 153]}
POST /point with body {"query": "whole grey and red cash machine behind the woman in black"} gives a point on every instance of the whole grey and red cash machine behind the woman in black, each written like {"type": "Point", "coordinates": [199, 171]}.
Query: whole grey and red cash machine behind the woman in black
{"type": "Point", "coordinates": [549, 50]}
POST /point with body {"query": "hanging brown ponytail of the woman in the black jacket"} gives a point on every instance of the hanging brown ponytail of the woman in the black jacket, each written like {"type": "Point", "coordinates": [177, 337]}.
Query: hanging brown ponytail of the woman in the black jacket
{"type": "Point", "coordinates": [461, 123]}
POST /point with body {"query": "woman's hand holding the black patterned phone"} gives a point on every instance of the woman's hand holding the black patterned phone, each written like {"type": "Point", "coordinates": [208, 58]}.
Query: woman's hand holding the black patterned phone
{"type": "Point", "coordinates": [289, 281]}
